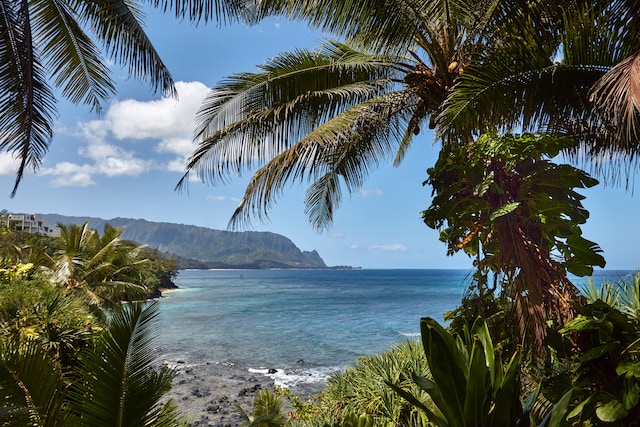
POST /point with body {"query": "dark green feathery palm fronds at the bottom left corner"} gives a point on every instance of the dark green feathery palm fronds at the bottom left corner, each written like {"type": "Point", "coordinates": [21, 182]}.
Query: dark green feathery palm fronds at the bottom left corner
{"type": "Point", "coordinates": [118, 384]}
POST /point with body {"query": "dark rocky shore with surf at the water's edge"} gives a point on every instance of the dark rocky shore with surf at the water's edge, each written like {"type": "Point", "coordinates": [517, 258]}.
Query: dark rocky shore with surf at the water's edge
{"type": "Point", "coordinates": [207, 393]}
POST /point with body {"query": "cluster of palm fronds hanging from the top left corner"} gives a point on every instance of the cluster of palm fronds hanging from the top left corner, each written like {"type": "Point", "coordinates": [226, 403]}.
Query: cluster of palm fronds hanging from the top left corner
{"type": "Point", "coordinates": [57, 42]}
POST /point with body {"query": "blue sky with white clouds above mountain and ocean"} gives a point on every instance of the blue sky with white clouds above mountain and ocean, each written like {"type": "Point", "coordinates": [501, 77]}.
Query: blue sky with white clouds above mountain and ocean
{"type": "Point", "coordinates": [127, 161]}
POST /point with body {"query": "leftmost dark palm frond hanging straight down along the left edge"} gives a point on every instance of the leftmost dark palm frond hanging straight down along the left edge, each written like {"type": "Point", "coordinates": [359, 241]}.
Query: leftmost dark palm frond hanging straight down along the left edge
{"type": "Point", "coordinates": [26, 123]}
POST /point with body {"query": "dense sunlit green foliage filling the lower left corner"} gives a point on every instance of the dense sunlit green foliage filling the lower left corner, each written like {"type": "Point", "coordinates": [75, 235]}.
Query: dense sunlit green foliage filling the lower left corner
{"type": "Point", "coordinates": [70, 352]}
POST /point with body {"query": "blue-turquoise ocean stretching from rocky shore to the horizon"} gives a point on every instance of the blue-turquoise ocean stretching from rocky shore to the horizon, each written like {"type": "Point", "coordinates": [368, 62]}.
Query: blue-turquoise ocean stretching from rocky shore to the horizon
{"type": "Point", "coordinates": [305, 324]}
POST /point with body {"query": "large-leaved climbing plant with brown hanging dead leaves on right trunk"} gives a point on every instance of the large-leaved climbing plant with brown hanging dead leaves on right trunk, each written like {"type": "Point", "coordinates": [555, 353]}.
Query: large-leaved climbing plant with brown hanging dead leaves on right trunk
{"type": "Point", "coordinates": [504, 203]}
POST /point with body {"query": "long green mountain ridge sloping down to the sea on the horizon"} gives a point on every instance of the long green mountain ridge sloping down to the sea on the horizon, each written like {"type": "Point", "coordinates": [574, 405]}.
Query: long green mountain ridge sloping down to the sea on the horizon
{"type": "Point", "coordinates": [200, 247]}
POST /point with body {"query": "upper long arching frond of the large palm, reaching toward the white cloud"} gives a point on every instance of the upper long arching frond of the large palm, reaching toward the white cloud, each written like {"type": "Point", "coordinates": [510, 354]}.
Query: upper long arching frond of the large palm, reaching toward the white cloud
{"type": "Point", "coordinates": [250, 118]}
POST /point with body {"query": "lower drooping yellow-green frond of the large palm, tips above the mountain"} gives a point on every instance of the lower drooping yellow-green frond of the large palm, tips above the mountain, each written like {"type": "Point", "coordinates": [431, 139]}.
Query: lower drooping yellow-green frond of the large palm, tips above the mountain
{"type": "Point", "coordinates": [342, 150]}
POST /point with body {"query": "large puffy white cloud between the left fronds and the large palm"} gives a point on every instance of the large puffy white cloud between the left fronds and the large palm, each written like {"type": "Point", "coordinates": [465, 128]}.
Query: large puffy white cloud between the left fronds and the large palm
{"type": "Point", "coordinates": [167, 122]}
